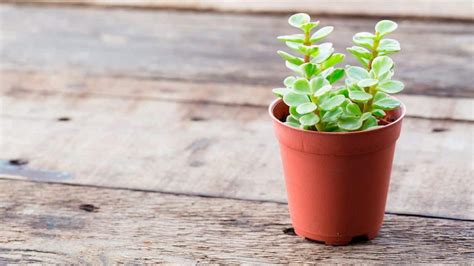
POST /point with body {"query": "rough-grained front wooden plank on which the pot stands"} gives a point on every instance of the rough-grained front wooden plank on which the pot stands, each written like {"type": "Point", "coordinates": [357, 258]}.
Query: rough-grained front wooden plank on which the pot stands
{"type": "Point", "coordinates": [51, 223]}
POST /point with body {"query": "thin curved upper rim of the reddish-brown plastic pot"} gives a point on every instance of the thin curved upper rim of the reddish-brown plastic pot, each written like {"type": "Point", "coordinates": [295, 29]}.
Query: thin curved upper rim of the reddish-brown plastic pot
{"type": "Point", "coordinates": [278, 100]}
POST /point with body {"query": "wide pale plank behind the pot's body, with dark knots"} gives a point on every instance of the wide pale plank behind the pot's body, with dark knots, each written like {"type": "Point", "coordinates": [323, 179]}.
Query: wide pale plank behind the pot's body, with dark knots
{"type": "Point", "coordinates": [209, 149]}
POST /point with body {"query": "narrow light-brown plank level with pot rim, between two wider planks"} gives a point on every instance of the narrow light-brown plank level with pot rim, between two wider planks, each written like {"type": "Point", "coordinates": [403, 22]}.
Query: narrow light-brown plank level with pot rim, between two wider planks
{"type": "Point", "coordinates": [220, 93]}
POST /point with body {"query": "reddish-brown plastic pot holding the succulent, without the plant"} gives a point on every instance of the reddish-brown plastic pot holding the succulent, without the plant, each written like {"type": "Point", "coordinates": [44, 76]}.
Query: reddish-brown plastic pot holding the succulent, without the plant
{"type": "Point", "coordinates": [337, 183]}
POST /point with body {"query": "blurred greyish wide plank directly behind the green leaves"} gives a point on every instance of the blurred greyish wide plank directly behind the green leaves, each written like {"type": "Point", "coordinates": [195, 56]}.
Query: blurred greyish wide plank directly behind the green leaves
{"type": "Point", "coordinates": [230, 48]}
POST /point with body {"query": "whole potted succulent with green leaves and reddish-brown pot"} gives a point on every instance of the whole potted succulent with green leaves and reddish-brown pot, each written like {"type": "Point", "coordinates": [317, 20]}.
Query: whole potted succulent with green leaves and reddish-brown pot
{"type": "Point", "coordinates": [337, 142]}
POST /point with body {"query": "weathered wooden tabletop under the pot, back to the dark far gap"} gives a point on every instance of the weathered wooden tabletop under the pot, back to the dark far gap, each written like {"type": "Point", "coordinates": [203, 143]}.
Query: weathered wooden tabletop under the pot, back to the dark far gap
{"type": "Point", "coordinates": [142, 136]}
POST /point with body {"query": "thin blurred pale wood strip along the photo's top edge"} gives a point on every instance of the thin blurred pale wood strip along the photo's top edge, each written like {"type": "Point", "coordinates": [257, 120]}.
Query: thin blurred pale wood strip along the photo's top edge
{"type": "Point", "coordinates": [446, 9]}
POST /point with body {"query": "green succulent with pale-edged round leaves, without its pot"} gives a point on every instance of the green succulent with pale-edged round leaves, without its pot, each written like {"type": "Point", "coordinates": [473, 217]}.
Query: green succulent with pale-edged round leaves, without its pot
{"type": "Point", "coordinates": [315, 101]}
